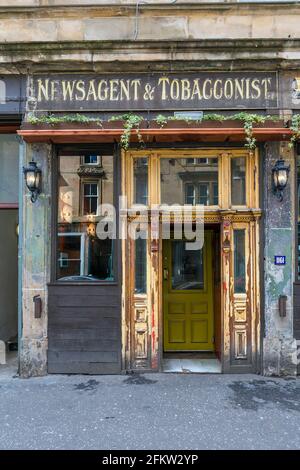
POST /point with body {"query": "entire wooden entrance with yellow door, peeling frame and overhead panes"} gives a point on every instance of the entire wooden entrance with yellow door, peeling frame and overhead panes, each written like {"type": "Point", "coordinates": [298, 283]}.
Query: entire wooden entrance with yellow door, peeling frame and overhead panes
{"type": "Point", "coordinates": [199, 304]}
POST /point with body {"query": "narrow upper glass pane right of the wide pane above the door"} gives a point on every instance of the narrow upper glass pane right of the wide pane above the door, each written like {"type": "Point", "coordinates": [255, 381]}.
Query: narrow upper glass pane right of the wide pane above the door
{"type": "Point", "coordinates": [238, 181]}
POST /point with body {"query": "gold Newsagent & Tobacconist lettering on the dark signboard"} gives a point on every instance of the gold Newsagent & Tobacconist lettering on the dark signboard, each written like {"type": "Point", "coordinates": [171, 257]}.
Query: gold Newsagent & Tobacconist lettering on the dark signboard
{"type": "Point", "coordinates": [160, 90]}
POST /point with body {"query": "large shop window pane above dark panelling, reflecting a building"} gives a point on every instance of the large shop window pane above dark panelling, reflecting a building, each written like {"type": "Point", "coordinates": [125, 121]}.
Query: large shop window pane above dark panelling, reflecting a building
{"type": "Point", "coordinates": [81, 254]}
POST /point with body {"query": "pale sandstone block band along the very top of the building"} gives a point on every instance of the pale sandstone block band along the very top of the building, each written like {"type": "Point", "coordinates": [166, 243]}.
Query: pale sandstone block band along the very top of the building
{"type": "Point", "coordinates": [74, 21]}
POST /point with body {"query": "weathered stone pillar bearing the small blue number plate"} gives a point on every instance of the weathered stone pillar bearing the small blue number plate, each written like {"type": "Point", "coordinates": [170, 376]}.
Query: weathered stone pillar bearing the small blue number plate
{"type": "Point", "coordinates": [279, 346]}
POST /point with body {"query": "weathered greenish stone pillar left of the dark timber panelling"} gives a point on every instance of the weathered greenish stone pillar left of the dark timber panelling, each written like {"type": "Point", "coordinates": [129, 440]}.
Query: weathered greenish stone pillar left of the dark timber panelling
{"type": "Point", "coordinates": [36, 266]}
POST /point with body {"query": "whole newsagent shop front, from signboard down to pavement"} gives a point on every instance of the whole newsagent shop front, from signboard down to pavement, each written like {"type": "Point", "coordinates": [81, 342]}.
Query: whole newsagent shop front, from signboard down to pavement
{"type": "Point", "coordinates": [121, 286]}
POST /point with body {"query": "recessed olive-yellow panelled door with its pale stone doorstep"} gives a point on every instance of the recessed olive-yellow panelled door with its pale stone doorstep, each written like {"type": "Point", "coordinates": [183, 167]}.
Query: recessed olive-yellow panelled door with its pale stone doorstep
{"type": "Point", "coordinates": [191, 305]}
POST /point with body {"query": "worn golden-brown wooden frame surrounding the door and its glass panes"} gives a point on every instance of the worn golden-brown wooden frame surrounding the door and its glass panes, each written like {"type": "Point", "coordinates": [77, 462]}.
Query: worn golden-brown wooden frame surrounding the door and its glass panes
{"type": "Point", "coordinates": [147, 320]}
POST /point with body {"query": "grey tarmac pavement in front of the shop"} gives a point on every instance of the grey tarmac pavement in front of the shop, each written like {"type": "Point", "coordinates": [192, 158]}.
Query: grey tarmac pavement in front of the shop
{"type": "Point", "coordinates": [148, 411]}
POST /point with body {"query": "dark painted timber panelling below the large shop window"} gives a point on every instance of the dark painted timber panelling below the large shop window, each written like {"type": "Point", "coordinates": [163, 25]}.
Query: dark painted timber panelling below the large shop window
{"type": "Point", "coordinates": [84, 329]}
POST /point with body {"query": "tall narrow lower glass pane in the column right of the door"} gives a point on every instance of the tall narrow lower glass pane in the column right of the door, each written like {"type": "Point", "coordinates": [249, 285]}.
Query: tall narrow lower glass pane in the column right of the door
{"type": "Point", "coordinates": [239, 262]}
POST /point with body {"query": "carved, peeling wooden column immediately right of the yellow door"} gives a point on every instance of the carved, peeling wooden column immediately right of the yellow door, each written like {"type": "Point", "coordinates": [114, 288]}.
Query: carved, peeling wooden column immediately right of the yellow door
{"type": "Point", "coordinates": [241, 310]}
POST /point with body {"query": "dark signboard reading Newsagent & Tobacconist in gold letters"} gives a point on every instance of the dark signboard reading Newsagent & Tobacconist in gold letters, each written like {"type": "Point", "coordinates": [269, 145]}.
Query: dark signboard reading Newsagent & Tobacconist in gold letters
{"type": "Point", "coordinates": [155, 91]}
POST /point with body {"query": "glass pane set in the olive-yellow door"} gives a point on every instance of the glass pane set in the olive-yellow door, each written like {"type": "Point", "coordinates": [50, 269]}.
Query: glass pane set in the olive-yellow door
{"type": "Point", "coordinates": [187, 267]}
